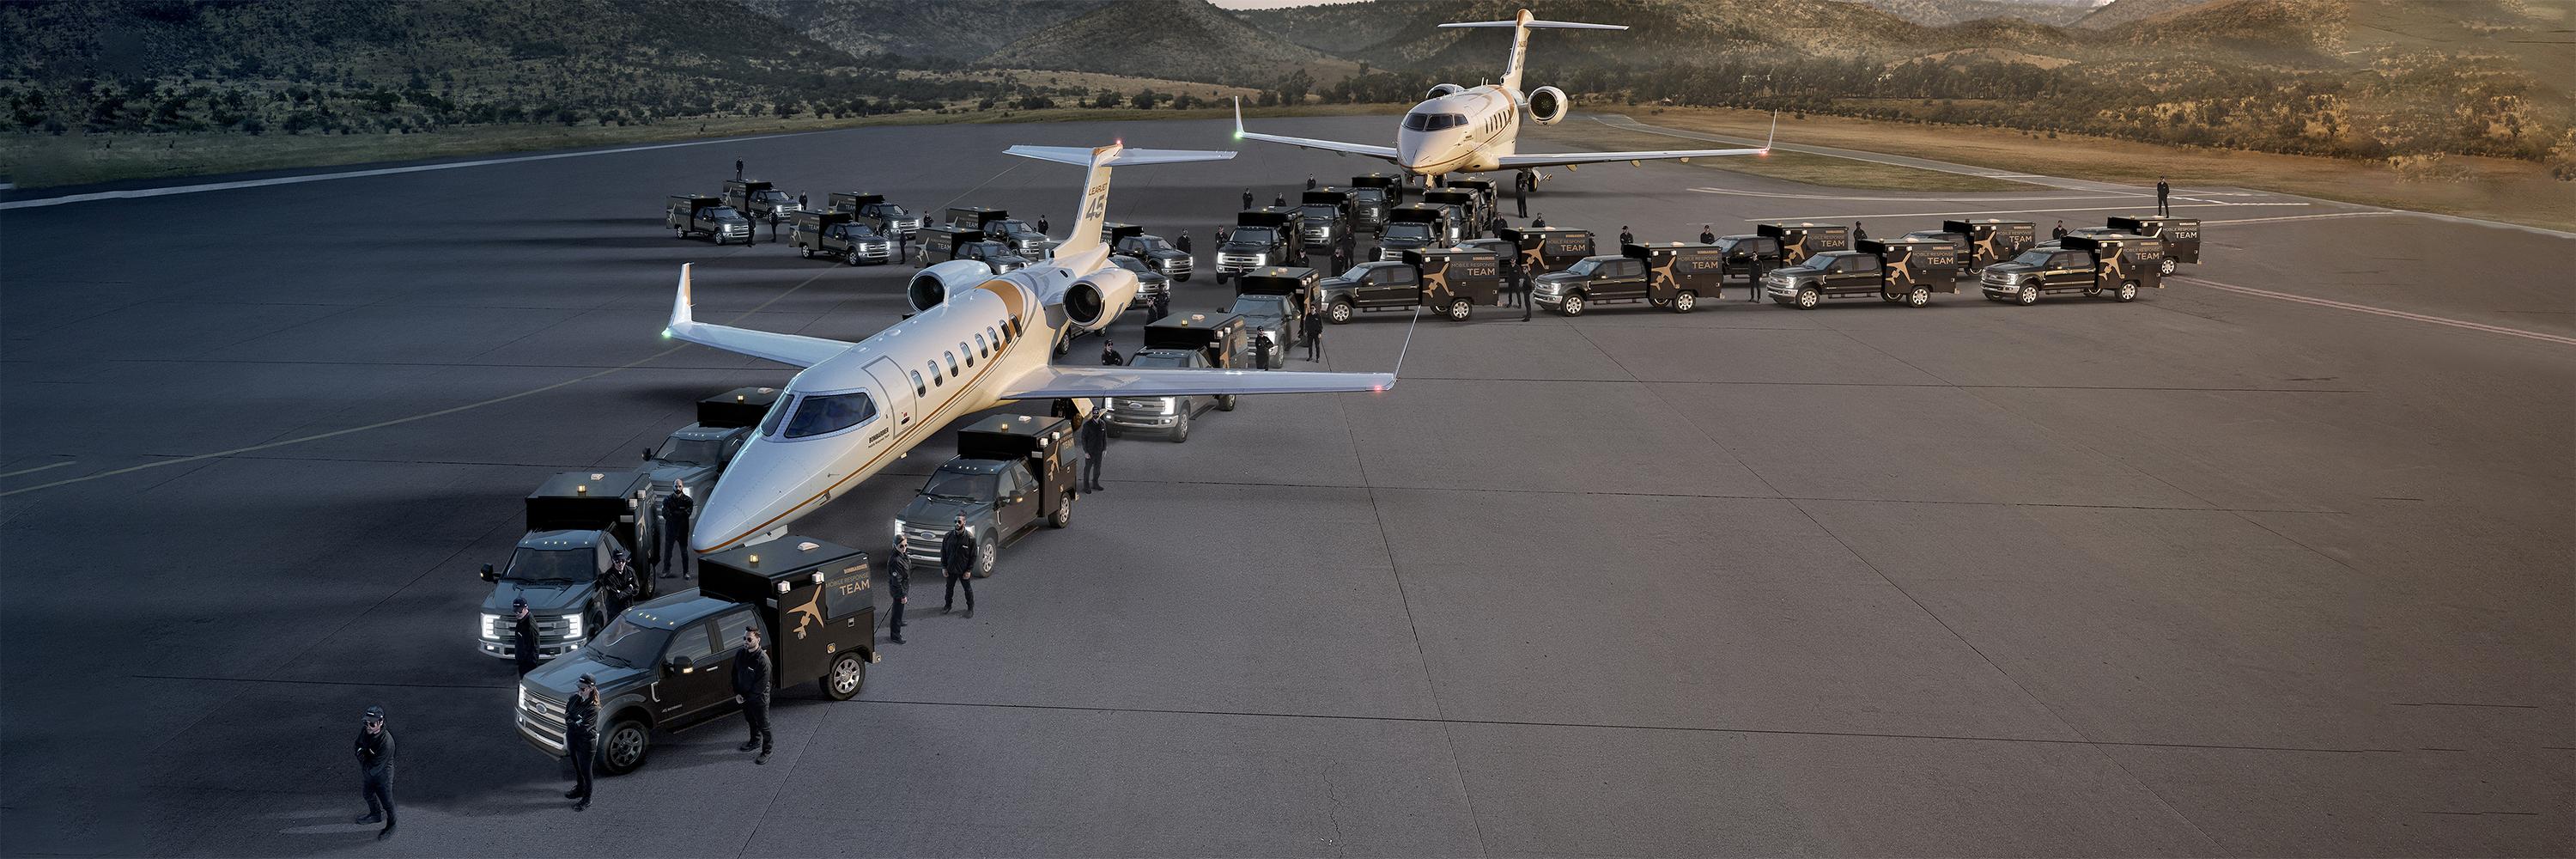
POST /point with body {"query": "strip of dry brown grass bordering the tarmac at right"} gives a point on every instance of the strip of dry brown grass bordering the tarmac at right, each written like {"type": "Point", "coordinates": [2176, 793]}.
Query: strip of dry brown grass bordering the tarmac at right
{"type": "Point", "coordinates": [2479, 187]}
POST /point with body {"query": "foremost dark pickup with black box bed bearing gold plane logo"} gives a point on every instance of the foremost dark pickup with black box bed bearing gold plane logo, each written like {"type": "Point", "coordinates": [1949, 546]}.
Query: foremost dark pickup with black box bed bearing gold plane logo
{"type": "Point", "coordinates": [668, 664]}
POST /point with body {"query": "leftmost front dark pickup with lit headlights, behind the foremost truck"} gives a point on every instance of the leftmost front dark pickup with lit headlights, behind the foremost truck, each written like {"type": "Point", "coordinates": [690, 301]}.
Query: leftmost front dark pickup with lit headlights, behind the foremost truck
{"type": "Point", "coordinates": [576, 525]}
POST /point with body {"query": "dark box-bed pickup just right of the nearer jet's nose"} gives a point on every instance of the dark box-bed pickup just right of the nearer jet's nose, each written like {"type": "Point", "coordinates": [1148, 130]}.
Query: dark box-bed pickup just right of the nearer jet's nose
{"type": "Point", "coordinates": [1011, 473]}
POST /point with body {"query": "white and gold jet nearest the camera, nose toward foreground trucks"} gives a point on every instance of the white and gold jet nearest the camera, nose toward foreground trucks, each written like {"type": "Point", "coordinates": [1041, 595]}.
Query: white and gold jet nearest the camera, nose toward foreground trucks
{"type": "Point", "coordinates": [972, 344]}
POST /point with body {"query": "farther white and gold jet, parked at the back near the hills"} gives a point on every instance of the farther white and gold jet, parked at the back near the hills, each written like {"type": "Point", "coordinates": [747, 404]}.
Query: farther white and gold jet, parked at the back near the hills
{"type": "Point", "coordinates": [1475, 130]}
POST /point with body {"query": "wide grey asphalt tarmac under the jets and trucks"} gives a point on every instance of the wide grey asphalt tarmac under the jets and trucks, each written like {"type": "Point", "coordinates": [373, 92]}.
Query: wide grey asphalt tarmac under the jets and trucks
{"type": "Point", "coordinates": [2222, 571]}
